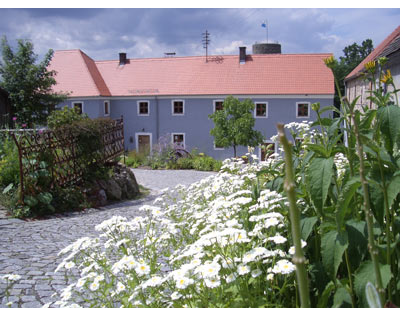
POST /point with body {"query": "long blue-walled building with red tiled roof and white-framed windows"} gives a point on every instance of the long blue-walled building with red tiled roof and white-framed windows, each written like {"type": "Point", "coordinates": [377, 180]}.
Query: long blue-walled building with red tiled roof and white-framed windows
{"type": "Point", "coordinates": [173, 96]}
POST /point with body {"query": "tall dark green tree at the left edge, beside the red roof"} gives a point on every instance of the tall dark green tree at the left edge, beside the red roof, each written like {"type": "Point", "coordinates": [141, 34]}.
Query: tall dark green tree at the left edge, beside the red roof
{"type": "Point", "coordinates": [28, 83]}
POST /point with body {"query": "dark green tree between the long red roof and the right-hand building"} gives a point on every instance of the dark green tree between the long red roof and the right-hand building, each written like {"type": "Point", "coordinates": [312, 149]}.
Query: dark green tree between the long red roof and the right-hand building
{"type": "Point", "coordinates": [354, 54]}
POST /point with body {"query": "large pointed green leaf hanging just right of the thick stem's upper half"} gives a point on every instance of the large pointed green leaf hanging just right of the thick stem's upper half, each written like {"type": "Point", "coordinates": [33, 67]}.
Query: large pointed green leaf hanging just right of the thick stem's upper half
{"type": "Point", "coordinates": [319, 175]}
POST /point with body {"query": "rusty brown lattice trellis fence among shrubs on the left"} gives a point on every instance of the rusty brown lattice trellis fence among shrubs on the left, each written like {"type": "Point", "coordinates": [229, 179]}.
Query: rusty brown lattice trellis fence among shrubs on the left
{"type": "Point", "coordinates": [62, 146]}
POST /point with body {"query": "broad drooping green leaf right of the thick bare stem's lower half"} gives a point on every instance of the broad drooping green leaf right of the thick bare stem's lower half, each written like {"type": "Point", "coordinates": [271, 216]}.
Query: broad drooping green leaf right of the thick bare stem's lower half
{"type": "Point", "coordinates": [333, 245]}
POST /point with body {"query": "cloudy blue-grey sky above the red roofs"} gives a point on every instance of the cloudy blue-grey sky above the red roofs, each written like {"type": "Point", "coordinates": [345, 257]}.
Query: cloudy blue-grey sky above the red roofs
{"type": "Point", "coordinates": [150, 32]}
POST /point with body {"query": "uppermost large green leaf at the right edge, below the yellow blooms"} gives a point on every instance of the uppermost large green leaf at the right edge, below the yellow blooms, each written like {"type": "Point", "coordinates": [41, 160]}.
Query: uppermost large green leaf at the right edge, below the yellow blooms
{"type": "Point", "coordinates": [388, 119]}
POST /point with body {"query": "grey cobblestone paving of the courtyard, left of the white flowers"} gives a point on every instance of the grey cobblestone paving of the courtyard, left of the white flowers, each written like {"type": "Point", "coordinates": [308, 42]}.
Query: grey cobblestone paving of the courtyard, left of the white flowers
{"type": "Point", "coordinates": [30, 248]}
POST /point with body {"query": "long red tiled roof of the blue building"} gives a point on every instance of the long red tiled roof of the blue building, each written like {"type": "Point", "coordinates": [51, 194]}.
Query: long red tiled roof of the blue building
{"type": "Point", "coordinates": [261, 74]}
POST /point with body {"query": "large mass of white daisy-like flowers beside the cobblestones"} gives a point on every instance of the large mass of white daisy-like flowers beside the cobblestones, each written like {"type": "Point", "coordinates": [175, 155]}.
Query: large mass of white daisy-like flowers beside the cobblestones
{"type": "Point", "coordinates": [213, 243]}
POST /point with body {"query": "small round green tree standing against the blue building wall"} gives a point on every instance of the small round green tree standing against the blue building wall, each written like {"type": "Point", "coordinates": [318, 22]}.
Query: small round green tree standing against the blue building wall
{"type": "Point", "coordinates": [233, 125]}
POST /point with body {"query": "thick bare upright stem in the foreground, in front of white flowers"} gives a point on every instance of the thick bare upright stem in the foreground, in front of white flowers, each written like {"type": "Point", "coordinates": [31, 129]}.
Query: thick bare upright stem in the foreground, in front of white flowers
{"type": "Point", "coordinates": [289, 185]}
